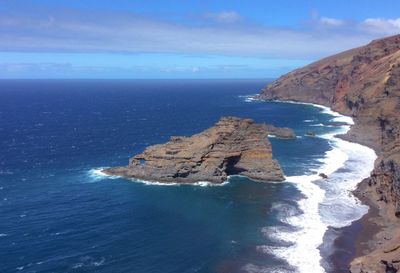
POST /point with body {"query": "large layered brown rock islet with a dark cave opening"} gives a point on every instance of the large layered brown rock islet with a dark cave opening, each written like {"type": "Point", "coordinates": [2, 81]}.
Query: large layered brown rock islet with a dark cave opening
{"type": "Point", "coordinates": [233, 146]}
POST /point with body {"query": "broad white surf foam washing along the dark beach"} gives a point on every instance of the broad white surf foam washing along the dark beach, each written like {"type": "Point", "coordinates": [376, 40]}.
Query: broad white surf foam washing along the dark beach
{"type": "Point", "coordinates": [327, 202]}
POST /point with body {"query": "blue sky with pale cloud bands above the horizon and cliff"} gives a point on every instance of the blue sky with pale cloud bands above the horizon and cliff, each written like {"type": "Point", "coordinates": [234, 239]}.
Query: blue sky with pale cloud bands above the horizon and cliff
{"type": "Point", "coordinates": [182, 39]}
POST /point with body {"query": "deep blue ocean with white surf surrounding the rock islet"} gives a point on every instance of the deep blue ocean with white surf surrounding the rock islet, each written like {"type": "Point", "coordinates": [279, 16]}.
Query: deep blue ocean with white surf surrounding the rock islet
{"type": "Point", "coordinates": [58, 213]}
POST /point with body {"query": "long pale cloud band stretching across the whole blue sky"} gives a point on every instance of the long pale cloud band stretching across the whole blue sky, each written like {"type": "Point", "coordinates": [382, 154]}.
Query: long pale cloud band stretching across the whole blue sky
{"type": "Point", "coordinates": [79, 31]}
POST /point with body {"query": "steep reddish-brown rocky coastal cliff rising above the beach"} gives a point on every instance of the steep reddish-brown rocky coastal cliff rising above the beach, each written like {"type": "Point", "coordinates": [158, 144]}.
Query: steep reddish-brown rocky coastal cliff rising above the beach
{"type": "Point", "coordinates": [364, 83]}
